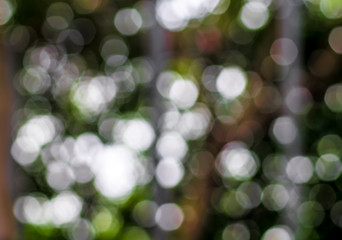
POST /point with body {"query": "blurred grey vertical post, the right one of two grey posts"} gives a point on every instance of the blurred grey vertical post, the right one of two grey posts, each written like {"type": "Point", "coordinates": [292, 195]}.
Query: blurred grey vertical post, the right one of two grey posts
{"type": "Point", "coordinates": [290, 25]}
